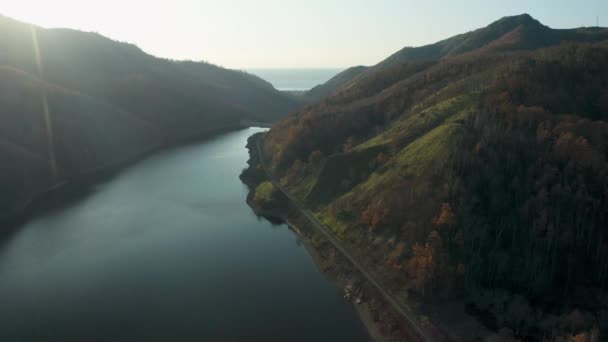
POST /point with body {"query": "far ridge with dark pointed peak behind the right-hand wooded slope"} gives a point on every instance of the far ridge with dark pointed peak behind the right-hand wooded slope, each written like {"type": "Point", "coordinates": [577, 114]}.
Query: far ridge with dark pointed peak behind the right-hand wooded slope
{"type": "Point", "coordinates": [513, 33]}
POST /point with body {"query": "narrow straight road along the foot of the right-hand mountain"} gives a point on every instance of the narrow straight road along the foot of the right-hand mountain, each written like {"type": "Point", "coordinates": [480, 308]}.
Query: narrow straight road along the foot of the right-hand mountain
{"type": "Point", "coordinates": [405, 313]}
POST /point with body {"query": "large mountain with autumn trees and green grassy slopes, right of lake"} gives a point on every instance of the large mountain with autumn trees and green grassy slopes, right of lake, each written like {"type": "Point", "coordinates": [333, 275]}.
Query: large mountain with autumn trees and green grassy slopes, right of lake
{"type": "Point", "coordinates": [475, 178]}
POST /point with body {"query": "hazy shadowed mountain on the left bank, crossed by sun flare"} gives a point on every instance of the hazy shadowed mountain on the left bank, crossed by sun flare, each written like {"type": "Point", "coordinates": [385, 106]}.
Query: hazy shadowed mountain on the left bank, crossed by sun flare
{"type": "Point", "coordinates": [108, 102]}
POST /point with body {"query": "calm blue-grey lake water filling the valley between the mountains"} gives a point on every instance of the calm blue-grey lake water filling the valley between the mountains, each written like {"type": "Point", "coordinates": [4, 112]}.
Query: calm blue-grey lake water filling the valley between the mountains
{"type": "Point", "coordinates": [168, 250]}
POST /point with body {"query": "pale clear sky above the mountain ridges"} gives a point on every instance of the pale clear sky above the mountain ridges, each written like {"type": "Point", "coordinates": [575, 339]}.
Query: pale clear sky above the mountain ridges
{"type": "Point", "coordinates": [246, 34]}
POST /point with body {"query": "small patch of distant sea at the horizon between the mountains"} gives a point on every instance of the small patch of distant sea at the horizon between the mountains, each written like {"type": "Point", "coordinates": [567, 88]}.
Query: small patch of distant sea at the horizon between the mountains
{"type": "Point", "coordinates": [295, 79]}
